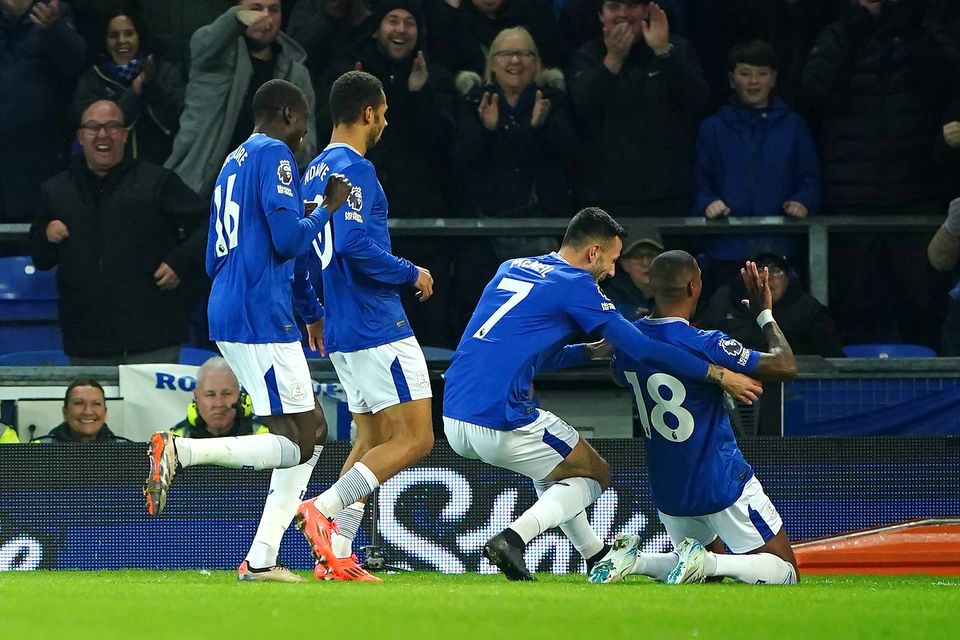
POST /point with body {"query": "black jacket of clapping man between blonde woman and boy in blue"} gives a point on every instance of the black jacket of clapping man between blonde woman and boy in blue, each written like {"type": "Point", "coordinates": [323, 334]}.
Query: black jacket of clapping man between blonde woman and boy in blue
{"type": "Point", "coordinates": [640, 124]}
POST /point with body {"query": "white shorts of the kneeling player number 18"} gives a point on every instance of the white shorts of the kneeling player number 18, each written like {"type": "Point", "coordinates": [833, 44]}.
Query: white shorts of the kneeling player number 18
{"type": "Point", "coordinates": [744, 526]}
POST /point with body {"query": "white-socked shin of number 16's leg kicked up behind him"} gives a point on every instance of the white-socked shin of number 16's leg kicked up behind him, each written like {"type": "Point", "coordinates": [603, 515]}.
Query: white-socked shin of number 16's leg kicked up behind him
{"type": "Point", "coordinates": [261, 451]}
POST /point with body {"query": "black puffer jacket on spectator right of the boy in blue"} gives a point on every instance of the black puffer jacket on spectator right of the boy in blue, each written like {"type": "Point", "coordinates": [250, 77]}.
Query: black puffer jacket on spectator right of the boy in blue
{"type": "Point", "coordinates": [876, 89]}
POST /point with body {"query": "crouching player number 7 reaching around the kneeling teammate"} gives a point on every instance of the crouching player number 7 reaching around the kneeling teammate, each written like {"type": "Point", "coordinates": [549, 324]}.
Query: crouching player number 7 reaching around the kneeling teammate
{"type": "Point", "coordinates": [527, 314]}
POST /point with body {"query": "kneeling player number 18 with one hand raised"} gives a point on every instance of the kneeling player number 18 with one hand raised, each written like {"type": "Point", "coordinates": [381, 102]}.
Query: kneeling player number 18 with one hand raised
{"type": "Point", "coordinates": [705, 492]}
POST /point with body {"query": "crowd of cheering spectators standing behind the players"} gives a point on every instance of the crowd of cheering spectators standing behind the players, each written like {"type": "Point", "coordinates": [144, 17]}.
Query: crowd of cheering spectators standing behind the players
{"type": "Point", "coordinates": [498, 109]}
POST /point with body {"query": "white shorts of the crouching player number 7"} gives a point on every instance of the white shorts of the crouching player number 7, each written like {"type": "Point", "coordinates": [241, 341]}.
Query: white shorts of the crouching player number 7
{"type": "Point", "coordinates": [534, 450]}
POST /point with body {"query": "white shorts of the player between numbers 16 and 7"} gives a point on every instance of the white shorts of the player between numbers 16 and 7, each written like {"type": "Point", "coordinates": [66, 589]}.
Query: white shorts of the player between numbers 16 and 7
{"type": "Point", "coordinates": [381, 377]}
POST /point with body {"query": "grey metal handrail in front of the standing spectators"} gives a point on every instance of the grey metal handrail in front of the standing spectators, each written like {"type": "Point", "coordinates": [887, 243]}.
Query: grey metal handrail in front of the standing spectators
{"type": "Point", "coordinates": [817, 229]}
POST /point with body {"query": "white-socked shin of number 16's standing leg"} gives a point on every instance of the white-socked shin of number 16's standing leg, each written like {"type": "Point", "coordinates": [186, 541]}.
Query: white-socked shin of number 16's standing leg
{"type": "Point", "coordinates": [287, 487]}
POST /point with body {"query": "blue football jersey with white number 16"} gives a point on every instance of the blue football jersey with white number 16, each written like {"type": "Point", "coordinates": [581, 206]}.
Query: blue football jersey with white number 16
{"type": "Point", "coordinates": [251, 296]}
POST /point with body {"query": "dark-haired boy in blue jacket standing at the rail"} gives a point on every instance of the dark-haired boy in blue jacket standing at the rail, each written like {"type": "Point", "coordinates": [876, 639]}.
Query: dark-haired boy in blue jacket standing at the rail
{"type": "Point", "coordinates": [755, 157]}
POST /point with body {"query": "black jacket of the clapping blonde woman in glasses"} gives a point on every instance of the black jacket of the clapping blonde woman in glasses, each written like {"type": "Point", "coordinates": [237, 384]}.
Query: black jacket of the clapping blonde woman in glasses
{"type": "Point", "coordinates": [516, 170]}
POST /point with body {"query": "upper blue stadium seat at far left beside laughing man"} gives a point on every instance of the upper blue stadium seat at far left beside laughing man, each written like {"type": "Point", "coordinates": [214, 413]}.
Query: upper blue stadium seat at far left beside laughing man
{"type": "Point", "coordinates": [28, 307]}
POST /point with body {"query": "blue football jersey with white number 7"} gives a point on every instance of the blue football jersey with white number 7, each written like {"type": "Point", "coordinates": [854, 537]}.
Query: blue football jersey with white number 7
{"type": "Point", "coordinates": [530, 310]}
